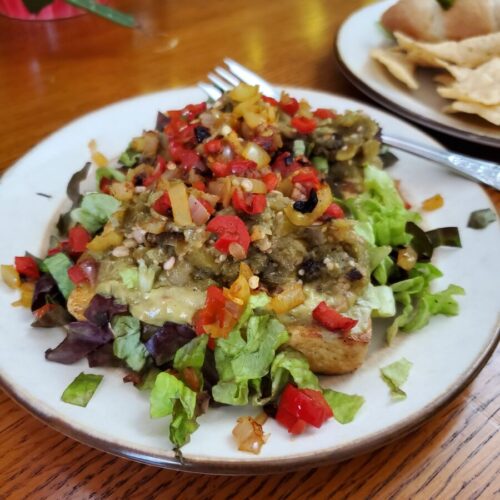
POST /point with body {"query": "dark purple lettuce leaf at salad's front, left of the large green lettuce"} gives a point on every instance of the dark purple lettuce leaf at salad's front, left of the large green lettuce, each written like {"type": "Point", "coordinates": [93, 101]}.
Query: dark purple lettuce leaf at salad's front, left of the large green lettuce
{"type": "Point", "coordinates": [167, 340]}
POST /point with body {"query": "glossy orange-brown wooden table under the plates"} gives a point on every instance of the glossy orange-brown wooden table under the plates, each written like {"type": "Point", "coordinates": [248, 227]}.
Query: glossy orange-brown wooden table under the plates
{"type": "Point", "coordinates": [53, 72]}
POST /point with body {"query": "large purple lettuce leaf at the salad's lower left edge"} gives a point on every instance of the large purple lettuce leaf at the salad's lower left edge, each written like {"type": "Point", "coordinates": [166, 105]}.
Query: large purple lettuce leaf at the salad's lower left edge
{"type": "Point", "coordinates": [82, 338]}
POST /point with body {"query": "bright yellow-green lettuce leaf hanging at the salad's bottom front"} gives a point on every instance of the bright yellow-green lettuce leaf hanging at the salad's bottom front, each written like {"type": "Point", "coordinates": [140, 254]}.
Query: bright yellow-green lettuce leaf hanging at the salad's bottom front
{"type": "Point", "coordinates": [166, 391]}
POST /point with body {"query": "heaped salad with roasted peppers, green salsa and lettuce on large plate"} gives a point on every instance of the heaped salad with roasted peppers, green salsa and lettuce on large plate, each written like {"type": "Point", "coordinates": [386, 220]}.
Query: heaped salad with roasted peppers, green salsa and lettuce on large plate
{"type": "Point", "coordinates": [230, 256]}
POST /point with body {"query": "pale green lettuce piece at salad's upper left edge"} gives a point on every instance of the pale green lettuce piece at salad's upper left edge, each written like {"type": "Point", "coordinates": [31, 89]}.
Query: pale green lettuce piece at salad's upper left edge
{"type": "Point", "coordinates": [95, 210]}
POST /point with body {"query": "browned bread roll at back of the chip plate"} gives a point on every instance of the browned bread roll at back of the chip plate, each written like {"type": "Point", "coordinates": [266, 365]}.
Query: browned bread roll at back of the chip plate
{"type": "Point", "coordinates": [427, 20]}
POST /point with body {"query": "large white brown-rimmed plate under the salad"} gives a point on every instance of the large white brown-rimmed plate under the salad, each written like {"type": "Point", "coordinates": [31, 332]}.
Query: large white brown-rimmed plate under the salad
{"type": "Point", "coordinates": [446, 354]}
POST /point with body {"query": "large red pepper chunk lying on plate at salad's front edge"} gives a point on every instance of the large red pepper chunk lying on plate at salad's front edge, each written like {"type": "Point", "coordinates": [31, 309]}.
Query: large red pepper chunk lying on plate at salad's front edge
{"type": "Point", "coordinates": [298, 407]}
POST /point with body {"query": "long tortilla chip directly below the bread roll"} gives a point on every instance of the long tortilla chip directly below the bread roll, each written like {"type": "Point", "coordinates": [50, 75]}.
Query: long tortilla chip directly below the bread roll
{"type": "Point", "coordinates": [469, 53]}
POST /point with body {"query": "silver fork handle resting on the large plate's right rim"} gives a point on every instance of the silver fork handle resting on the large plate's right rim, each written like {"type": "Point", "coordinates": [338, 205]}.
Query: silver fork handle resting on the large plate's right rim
{"type": "Point", "coordinates": [484, 171]}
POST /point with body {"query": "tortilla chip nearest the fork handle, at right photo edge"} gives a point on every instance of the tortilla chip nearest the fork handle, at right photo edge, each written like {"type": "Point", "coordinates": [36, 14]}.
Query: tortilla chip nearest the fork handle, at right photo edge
{"type": "Point", "coordinates": [481, 85]}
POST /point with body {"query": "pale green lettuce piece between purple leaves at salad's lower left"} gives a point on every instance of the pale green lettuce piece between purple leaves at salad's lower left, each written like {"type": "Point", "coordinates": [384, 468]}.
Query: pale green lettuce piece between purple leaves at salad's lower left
{"type": "Point", "coordinates": [127, 344]}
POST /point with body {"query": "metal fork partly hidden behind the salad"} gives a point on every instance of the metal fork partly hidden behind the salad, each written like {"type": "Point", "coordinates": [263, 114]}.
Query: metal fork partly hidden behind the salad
{"type": "Point", "coordinates": [224, 79]}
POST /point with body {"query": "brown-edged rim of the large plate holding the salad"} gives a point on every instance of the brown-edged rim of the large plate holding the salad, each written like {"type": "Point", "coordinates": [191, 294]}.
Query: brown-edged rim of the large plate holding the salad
{"type": "Point", "coordinates": [269, 465]}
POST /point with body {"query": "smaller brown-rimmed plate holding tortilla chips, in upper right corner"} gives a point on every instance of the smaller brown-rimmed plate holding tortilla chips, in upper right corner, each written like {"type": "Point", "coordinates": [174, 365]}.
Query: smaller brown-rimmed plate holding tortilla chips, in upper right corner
{"type": "Point", "coordinates": [357, 37]}
